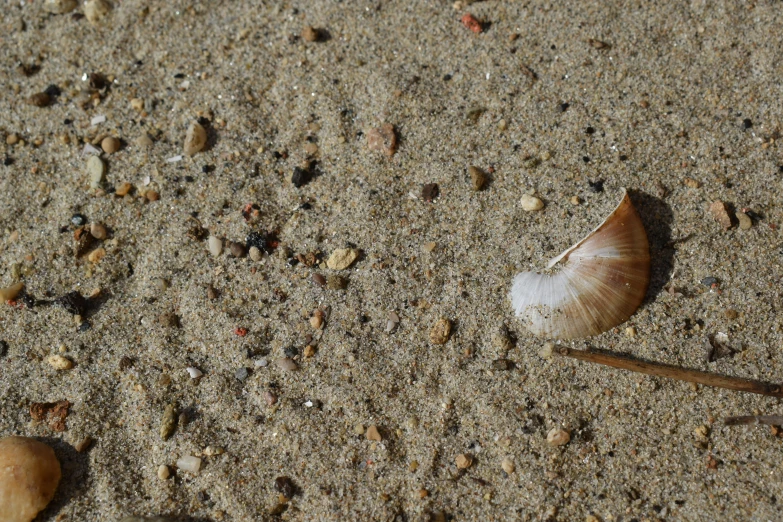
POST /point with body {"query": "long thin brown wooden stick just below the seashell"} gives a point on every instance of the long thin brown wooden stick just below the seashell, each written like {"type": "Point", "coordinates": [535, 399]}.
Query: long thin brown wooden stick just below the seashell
{"type": "Point", "coordinates": [673, 372]}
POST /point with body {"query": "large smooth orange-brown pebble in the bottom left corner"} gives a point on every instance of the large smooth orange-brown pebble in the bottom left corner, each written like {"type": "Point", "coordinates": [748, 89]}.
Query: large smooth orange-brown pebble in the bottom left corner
{"type": "Point", "coordinates": [29, 475]}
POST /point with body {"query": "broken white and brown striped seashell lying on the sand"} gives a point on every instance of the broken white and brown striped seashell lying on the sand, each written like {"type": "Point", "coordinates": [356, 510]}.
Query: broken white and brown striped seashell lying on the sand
{"type": "Point", "coordinates": [601, 282]}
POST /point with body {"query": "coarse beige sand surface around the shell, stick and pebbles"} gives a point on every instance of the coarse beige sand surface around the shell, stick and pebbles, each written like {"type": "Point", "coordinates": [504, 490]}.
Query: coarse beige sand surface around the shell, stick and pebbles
{"type": "Point", "coordinates": [681, 105]}
